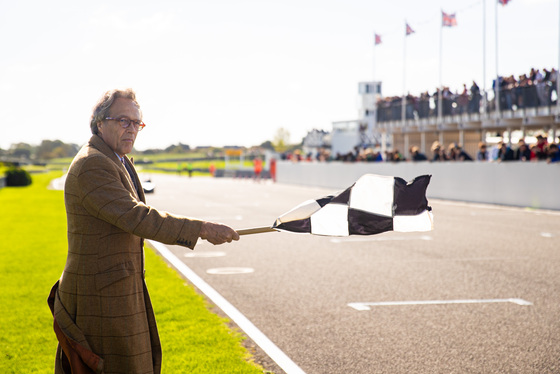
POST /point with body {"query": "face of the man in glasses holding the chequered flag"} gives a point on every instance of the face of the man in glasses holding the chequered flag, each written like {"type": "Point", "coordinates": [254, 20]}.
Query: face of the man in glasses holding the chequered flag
{"type": "Point", "coordinates": [120, 140]}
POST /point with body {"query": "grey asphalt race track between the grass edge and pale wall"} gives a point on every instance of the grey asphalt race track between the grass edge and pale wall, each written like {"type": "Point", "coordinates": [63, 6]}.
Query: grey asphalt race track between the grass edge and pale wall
{"type": "Point", "coordinates": [300, 287]}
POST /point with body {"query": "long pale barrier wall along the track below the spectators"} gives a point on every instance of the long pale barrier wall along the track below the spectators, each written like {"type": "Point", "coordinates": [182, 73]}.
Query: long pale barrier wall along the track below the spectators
{"type": "Point", "coordinates": [522, 184]}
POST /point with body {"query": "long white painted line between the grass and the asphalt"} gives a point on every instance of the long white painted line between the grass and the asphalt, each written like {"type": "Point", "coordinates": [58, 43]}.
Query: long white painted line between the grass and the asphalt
{"type": "Point", "coordinates": [244, 324]}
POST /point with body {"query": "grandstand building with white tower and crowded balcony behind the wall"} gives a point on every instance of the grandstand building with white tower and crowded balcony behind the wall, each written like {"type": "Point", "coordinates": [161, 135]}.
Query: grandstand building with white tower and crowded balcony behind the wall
{"type": "Point", "coordinates": [387, 124]}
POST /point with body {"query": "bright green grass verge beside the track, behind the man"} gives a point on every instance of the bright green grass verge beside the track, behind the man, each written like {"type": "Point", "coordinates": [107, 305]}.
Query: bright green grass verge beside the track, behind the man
{"type": "Point", "coordinates": [32, 256]}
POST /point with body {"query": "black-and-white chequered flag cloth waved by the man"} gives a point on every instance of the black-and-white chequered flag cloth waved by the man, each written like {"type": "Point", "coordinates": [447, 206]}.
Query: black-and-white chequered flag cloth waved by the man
{"type": "Point", "coordinates": [372, 205]}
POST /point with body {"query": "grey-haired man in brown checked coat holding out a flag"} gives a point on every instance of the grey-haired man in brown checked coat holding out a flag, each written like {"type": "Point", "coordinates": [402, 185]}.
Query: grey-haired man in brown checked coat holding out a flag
{"type": "Point", "coordinates": [103, 317]}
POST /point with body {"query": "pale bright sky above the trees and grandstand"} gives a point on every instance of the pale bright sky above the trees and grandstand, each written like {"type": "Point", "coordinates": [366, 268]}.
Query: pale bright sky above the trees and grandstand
{"type": "Point", "coordinates": [222, 72]}
